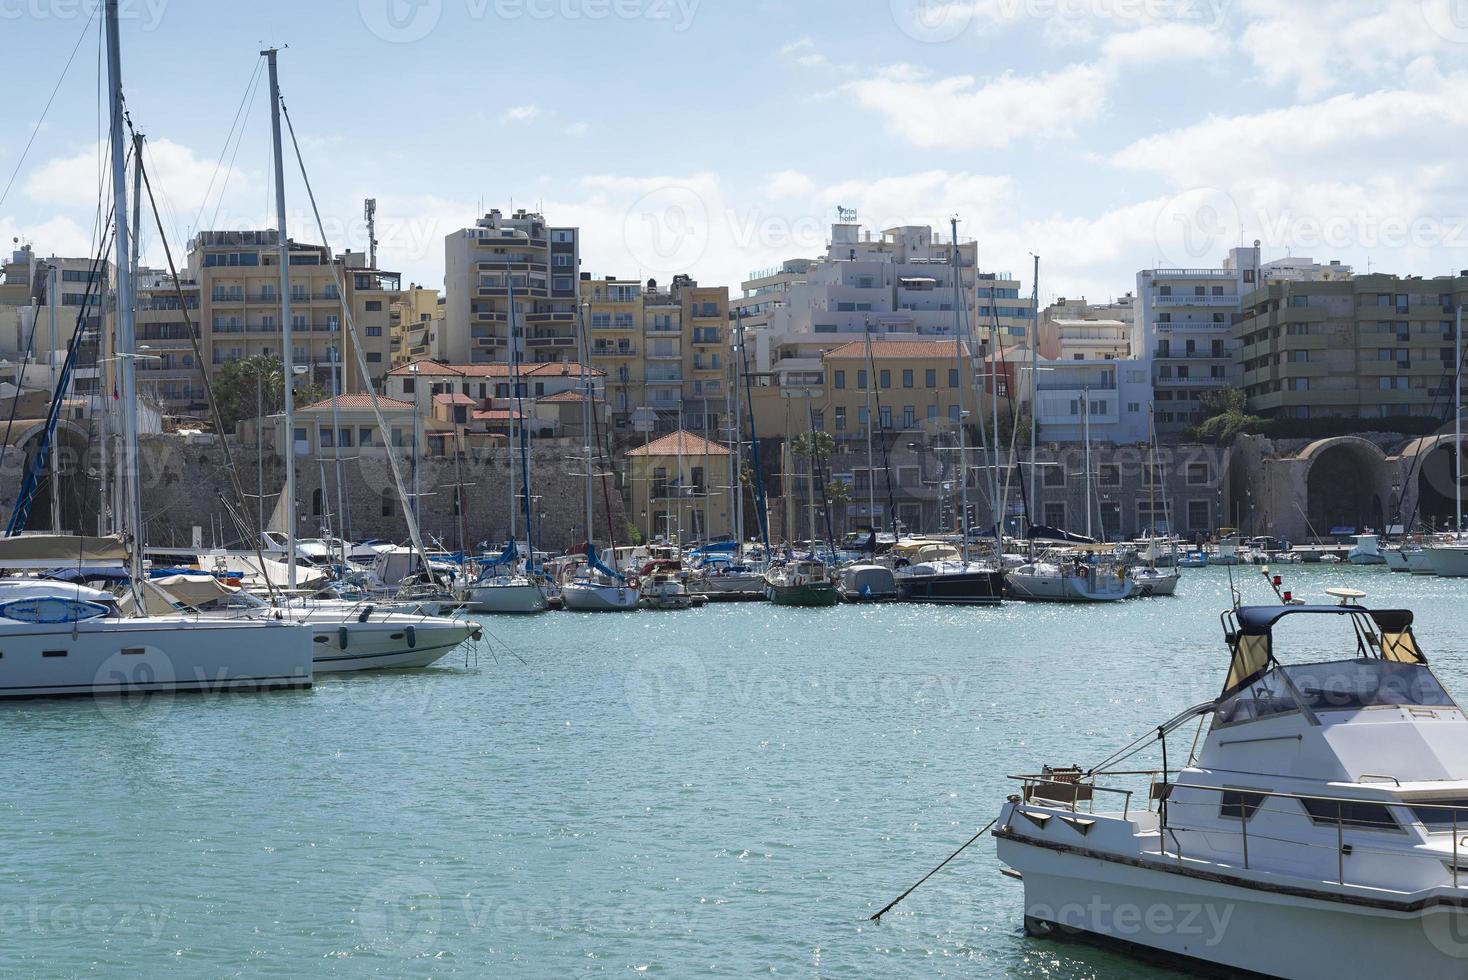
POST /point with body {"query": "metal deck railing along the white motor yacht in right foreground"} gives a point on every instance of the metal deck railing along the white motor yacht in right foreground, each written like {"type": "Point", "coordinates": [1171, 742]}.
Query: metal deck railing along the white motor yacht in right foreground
{"type": "Point", "coordinates": [1235, 809]}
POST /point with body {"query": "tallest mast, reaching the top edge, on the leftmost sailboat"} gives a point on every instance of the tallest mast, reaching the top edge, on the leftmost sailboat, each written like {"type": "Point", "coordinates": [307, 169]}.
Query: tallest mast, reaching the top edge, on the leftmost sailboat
{"type": "Point", "coordinates": [124, 328]}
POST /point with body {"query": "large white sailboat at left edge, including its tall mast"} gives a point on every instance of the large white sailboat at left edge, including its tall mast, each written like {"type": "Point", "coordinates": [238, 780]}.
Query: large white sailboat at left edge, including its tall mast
{"type": "Point", "coordinates": [62, 639]}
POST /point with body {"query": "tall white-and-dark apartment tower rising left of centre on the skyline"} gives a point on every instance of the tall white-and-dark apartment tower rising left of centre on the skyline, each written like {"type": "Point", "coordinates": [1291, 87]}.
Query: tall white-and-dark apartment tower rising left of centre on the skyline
{"type": "Point", "coordinates": [500, 257]}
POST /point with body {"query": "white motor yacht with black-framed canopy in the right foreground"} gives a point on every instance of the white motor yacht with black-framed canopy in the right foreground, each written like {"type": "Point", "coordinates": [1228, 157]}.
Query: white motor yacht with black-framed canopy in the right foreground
{"type": "Point", "coordinates": [1316, 833]}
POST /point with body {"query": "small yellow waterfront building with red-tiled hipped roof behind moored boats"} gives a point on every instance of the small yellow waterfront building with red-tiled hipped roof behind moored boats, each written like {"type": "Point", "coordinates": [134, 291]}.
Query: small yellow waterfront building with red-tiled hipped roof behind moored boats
{"type": "Point", "coordinates": [680, 488]}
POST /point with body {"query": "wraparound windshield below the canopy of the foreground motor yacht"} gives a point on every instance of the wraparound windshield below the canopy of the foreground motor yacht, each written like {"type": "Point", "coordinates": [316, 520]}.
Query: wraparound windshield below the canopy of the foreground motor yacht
{"type": "Point", "coordinates": [1332, 687]}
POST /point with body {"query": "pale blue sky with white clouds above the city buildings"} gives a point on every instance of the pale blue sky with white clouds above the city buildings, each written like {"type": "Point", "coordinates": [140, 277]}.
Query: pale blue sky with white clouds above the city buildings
{"type": "Point", "coordinates": [719, 137]}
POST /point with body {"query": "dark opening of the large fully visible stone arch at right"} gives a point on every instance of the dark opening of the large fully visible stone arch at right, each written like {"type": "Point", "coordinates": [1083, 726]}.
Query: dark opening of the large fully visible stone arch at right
{"type": "Point", "coordinates": [1344, 486]}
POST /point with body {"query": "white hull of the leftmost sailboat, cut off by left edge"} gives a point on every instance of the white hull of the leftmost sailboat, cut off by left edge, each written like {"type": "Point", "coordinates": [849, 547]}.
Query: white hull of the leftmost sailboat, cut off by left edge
{"type": "Point", "coordinates": [148, 655]}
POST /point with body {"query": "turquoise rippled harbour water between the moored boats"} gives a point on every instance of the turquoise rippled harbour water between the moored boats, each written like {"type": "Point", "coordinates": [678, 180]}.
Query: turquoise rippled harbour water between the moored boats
{"type": "Point", "coordinates": [722, 791]}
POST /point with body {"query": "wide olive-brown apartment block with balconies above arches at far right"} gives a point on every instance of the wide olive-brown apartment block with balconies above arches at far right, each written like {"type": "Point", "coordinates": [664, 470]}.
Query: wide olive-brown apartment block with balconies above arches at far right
{"type": "Point", "coordinates": [1351, 347]}
